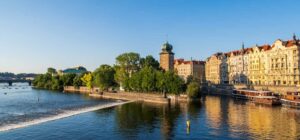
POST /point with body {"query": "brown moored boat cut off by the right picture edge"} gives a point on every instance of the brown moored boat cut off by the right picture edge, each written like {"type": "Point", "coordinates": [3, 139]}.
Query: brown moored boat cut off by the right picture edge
{"type": "Point", "coordinates": [291, 99]}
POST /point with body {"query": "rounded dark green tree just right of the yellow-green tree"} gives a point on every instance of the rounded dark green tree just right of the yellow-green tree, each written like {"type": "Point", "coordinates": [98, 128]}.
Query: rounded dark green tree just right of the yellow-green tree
{"type": "Point", "coordinates": [104, 77]}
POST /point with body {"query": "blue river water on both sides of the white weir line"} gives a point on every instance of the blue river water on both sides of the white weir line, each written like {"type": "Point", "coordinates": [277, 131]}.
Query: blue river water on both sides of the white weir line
{"type": "Point", "coordinates": [215, 117]}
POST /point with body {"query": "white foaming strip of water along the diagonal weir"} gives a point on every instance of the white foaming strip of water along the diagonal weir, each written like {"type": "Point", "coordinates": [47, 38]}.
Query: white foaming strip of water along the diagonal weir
{"type": "Point", "coordinates": [64, 114]}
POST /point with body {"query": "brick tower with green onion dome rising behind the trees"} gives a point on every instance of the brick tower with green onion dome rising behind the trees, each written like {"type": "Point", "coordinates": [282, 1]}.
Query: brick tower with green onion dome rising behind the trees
{"type": "Point", "coordinates": [167, 57]}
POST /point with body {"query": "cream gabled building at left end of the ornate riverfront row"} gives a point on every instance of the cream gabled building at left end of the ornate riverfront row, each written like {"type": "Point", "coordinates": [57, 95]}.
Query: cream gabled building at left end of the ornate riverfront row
{"type": "Point", "coordinates": [216, 69]}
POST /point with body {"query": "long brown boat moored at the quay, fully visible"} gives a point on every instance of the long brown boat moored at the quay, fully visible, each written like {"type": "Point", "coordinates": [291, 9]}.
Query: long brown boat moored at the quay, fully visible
{"type": "Point", "coordinates": [262, 97]}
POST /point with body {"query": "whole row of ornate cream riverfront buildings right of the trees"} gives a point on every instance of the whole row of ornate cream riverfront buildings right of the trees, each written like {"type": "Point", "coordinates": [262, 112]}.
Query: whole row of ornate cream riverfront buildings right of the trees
{"type": "Point", "coordinates": [259, 65]}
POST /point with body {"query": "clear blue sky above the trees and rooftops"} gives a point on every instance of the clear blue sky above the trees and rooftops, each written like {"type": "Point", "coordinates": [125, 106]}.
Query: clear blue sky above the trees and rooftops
{"type": "Point", "coordinates": [37, 34]}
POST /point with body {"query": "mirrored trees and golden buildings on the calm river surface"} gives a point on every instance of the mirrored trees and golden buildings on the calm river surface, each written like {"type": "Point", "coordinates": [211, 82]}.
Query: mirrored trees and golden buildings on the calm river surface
{"type": "Point", "coordinates": [214, 116]}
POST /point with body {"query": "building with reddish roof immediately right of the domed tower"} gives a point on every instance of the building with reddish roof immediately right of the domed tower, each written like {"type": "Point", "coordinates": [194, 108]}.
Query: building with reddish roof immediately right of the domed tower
{"type": "Point", "coordinates": [190, 68]}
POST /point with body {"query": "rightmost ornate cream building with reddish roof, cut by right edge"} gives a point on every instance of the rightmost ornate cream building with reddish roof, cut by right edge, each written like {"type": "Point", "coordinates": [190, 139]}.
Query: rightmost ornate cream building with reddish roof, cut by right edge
{"type": "Point", "coordinates": [283, 61]}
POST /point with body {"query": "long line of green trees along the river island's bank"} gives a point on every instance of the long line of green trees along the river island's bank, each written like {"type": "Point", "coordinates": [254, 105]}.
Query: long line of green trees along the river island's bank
{"type": "Point", "coordinates": [131, 72]}
